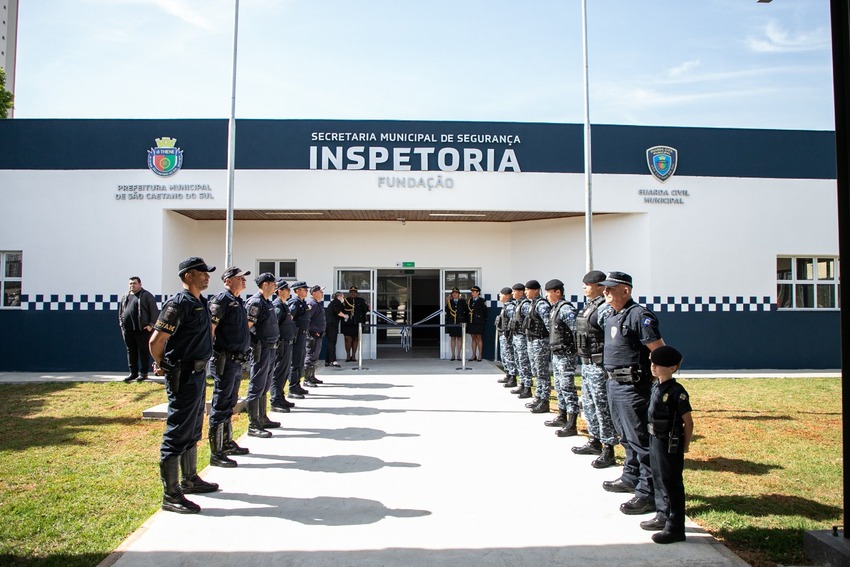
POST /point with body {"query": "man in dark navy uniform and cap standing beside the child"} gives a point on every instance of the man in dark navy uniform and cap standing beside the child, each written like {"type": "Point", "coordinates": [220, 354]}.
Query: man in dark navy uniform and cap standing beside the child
{"type": "Point", "coordinates": [631, 333]}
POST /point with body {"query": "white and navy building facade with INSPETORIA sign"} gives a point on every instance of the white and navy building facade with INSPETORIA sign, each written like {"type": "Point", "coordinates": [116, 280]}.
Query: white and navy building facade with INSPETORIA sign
{"type": "Point", "coordinates": [730, 235]}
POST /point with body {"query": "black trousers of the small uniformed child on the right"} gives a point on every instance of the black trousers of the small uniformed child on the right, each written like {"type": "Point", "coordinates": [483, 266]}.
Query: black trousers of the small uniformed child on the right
{"type": "Point", "coordinates": [667, 475]}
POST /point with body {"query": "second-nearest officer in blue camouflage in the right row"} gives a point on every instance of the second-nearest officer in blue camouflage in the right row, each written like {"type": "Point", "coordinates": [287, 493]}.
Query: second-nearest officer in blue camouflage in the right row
{"type": "Point", "coordinates": [562, 325]}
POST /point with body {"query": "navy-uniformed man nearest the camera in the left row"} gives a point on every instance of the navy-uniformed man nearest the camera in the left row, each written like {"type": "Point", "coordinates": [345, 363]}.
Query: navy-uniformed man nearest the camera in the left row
{"type": "Point", "coordinates": [181, 346]}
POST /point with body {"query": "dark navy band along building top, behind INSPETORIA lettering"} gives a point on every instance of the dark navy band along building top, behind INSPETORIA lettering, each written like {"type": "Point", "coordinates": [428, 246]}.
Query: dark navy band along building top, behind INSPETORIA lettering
{"type": "Point", "coordinates": [285, 144]}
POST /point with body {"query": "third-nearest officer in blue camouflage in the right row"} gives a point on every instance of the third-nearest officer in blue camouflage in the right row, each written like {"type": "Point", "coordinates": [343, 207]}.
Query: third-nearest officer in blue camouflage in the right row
{"type": "Point", "coordinates": [536, 327]}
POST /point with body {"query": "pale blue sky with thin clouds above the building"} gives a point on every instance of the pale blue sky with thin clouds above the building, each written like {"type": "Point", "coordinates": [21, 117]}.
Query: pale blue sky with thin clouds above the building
{"type": "Point", "coordinates": [711, 63]}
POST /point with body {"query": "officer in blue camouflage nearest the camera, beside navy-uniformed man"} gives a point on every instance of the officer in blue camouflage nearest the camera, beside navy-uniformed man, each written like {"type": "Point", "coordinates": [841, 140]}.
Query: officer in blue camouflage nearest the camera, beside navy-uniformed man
{"type": "Point", "coordinates": [590, 342]}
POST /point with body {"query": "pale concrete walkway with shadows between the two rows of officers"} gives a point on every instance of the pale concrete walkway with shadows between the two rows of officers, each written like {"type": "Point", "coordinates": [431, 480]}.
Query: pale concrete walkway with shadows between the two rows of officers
{"type": "Point", "coordinates": [410, 466]}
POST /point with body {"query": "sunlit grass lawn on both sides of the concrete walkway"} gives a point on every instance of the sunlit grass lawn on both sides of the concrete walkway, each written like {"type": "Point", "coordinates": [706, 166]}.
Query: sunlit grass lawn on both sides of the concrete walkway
{"type": "Point", "coordinates": [78, 466]}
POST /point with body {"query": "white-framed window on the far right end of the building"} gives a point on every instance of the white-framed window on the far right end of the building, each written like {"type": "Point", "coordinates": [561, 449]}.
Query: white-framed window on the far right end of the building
{"type": "Point", "coordinates": [807, 282]}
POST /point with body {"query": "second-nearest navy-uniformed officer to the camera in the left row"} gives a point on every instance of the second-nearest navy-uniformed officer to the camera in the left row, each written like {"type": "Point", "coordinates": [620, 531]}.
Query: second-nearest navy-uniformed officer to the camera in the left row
{"type": "Point", "coordinates": [231, 349]}
